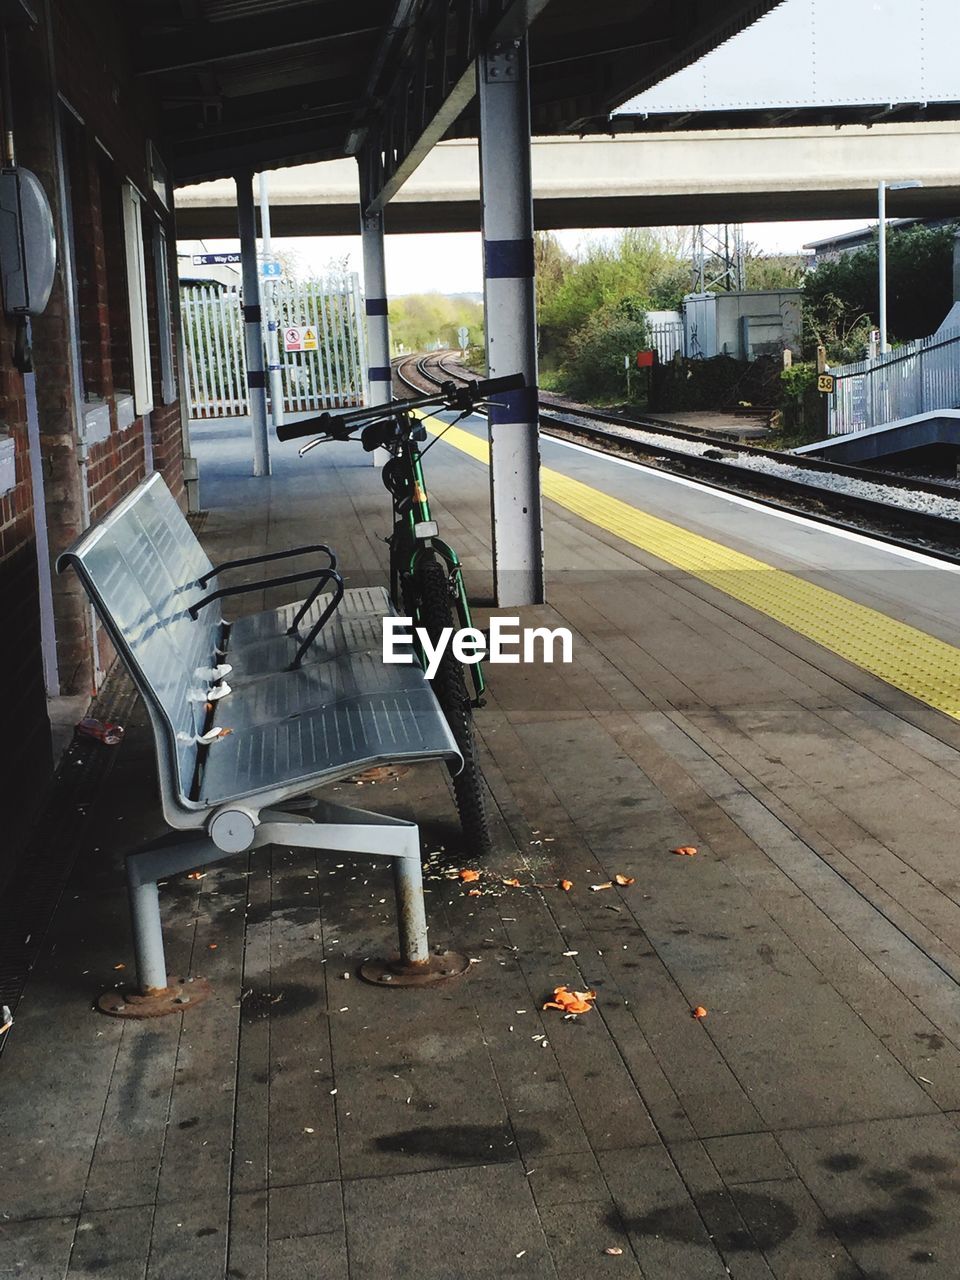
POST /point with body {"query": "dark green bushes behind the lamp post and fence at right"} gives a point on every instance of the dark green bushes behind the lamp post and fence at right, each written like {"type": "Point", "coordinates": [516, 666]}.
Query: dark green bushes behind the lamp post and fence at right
{"type": "Point", "coordinates": [842, 299]}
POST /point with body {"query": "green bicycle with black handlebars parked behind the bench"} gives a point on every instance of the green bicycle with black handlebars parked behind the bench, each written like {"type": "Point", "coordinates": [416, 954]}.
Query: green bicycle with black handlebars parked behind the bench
{"type": "Point", "coordinates": [427, 578]}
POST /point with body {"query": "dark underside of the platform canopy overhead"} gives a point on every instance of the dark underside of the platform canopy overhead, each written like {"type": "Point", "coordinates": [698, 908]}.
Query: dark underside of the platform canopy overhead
{"type": "Point", "coordinates": [260, 84]}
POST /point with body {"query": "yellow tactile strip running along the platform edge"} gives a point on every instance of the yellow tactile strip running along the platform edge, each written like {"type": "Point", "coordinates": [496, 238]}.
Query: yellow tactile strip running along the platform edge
{"type": "Point", "coordinates": [902, 656]}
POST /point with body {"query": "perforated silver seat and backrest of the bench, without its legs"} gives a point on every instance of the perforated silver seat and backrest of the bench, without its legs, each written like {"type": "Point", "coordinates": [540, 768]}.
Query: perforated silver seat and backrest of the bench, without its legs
{"type": "Point", "coordinates": [344, 710]}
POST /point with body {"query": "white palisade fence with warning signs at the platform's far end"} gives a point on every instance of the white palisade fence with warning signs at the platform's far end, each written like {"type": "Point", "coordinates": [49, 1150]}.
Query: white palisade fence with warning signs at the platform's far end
{"type": "Point", "coordinates": [333, 376]}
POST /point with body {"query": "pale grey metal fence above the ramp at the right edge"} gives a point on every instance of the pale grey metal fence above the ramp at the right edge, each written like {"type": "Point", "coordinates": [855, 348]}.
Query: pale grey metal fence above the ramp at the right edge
{"type": "Point", "coordinates": [915, 380]}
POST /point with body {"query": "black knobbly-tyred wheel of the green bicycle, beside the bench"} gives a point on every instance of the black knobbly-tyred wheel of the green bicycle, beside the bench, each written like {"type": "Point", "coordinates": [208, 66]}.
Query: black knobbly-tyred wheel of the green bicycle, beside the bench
{"type": "Point", "coordinates": [435, 606]}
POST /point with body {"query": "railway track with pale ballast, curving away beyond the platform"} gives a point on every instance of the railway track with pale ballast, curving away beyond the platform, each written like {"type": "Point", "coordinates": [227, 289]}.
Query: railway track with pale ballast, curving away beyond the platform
{"type": "Point", "coordinates": [853, 499]}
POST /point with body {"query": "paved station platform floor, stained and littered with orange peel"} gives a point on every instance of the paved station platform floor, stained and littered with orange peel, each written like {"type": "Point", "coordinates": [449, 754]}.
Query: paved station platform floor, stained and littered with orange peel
{"type": "Point", "coordinates": [783, 697]}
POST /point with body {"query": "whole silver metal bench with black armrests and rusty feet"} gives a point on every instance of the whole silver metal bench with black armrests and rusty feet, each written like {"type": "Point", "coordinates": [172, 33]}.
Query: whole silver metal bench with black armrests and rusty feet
{"type": "Point", "coordinates": [252, 717]}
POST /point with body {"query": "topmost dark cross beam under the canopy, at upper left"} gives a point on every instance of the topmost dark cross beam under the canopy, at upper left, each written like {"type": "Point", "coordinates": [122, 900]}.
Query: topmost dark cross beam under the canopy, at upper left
{"type": "Point", "coordinates": [253, 38]}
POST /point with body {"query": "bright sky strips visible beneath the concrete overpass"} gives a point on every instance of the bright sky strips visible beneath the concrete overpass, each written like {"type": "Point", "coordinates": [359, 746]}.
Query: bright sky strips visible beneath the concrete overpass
{"type": "Point", "coordinates": [452, 264]}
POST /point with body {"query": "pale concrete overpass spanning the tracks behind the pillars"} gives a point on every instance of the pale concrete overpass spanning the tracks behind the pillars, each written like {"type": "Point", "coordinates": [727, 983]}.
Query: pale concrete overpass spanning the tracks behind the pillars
{"type": "Point", "coordinates": [652, 180]}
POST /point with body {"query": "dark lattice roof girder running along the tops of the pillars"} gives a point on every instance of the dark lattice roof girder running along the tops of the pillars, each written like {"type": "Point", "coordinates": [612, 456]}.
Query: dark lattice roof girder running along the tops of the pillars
{"type": "Point", "coordinates": [437, 80]}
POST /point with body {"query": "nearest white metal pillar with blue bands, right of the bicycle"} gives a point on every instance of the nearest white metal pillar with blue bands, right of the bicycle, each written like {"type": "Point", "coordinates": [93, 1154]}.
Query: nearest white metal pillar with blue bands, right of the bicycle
{"type": "Point", "coordinates": [510, 307]}
